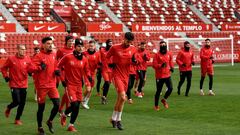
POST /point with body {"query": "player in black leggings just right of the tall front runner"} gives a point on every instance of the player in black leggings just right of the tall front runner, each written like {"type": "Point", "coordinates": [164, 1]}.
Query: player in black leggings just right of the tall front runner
{"type": "Point", "coordinates": [144, 56]}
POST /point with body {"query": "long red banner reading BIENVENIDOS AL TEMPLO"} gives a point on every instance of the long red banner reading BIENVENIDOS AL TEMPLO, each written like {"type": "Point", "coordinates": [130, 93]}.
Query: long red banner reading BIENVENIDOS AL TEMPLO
{"type": "Point", "coordinates": [171, 27]}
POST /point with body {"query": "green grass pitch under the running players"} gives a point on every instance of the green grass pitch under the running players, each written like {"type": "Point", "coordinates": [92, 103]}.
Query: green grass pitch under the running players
{"type": "Point", "coordinates": [194, 115]}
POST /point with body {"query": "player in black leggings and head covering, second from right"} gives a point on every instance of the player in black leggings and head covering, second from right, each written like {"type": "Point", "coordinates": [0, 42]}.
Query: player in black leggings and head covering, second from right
{"type": "Point", "coordinates": [185, 61]}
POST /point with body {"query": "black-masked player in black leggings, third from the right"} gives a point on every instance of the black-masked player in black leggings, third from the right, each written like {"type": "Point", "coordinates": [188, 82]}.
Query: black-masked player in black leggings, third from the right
{"type": "Point", "coordinates": [163, 65]}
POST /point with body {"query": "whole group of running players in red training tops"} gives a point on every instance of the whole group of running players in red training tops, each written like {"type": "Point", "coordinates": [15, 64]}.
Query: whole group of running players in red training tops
{"type": "Point", "coordinates": [75, 66]}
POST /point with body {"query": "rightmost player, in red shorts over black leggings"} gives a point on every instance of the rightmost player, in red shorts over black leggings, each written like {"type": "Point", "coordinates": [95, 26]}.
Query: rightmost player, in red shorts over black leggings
{"type": "Point", "coordinates": [206, 56]}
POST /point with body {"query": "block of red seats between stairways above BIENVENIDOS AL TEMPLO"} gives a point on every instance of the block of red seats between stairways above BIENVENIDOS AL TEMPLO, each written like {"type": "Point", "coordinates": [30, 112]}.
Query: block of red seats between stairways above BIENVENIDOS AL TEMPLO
{"type": "Point", "coordinates": [152, 11]}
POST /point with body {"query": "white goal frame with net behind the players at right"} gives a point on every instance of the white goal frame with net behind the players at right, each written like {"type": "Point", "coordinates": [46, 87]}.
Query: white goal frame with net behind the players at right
{"type": "Point", "coordinates": [223, 48]}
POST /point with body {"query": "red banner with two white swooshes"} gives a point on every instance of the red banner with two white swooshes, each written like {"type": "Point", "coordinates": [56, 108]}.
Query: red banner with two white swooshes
{"type": "Point", "coordinates": [46, 27]}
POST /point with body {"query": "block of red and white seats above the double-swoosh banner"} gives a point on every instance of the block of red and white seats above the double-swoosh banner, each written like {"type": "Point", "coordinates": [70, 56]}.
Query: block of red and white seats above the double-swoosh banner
{"type": "Point", "coordinates": [39, 11]}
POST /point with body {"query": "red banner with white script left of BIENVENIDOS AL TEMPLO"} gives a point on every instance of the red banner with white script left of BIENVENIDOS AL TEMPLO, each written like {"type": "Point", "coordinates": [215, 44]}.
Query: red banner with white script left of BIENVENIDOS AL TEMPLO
{"type": "Point", "coordinates": [108, 27]}
